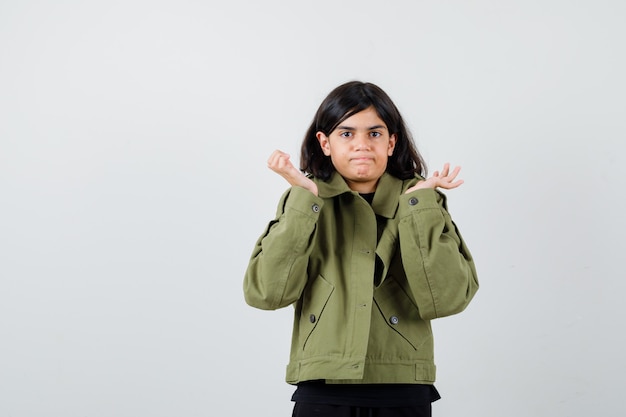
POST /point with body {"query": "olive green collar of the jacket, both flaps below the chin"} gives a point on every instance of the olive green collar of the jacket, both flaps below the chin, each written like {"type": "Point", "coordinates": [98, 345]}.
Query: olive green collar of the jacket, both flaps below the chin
{"type": "Point", "coordinates": [386, 197]}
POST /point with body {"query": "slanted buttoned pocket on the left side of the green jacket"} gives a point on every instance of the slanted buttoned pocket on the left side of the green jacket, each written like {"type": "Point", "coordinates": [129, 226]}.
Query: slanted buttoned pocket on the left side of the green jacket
{"type": "Point", "coordinates": [314, 301]}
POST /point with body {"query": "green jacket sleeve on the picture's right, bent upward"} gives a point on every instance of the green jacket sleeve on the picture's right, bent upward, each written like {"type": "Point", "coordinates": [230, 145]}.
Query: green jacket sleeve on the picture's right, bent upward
{"type": "Point", "coordinates": [437, 262]}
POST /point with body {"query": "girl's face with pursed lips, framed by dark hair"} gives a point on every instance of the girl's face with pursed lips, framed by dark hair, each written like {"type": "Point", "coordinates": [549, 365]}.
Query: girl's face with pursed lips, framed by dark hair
{"type": "Point", "coordinates": [359, 148]}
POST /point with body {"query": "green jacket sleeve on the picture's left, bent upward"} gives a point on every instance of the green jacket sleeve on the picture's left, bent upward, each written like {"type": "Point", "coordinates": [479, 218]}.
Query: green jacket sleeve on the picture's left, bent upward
{"type": "Point", "coordinates": [277, 271]}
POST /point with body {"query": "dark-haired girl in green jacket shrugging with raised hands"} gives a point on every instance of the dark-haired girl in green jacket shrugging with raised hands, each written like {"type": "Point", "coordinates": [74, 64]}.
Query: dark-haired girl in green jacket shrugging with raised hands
{"type": "Point", "coordinates": [364, 249]}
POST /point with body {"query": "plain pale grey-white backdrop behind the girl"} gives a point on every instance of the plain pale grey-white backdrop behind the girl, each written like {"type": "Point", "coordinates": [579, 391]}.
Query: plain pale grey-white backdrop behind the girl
{"type": "Point", "coordinates": [133, 184]}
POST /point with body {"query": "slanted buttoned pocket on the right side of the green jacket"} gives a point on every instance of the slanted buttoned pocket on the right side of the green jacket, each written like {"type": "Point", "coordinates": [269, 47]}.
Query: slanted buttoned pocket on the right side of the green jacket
{"type": "Point", "coordinates": [400, 313]}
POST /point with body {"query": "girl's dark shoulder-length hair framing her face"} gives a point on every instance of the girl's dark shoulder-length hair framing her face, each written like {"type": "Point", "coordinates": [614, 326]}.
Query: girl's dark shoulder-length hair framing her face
{"type": "Point", "coordinates": [345, 101]}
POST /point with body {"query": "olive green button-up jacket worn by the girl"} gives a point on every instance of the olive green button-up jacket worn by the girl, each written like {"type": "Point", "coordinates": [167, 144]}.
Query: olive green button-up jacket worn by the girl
{"type": "Point", "coordinates": [364, 291]}
